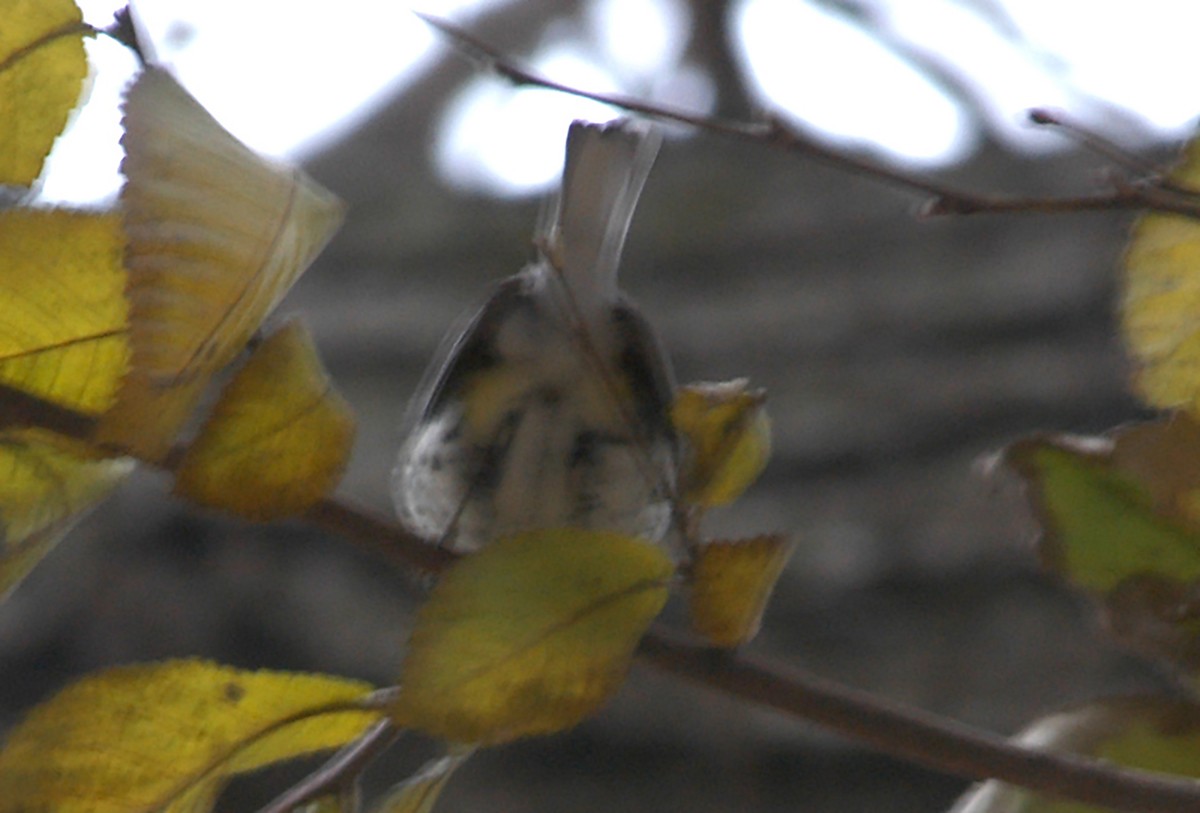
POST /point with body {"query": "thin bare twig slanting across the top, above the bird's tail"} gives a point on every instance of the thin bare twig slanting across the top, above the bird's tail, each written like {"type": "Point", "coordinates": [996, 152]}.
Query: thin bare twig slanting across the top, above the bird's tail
{"type": "Point", "coordinates": [776, 134]}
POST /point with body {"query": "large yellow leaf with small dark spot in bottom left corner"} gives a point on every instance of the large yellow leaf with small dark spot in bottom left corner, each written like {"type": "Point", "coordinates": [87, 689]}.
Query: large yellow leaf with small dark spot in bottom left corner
{"type": "Point", "coordinates": [166, 737]}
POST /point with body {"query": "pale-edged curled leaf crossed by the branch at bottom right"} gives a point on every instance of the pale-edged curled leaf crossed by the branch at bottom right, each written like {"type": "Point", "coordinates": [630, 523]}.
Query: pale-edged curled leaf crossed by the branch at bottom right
{"type": "Point", "coordinates": [1150, 733]}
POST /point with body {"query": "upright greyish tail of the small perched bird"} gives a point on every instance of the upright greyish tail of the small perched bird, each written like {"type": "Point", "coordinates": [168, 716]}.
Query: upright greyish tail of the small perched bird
{"type": "Point", "coordinates": [607, 167]}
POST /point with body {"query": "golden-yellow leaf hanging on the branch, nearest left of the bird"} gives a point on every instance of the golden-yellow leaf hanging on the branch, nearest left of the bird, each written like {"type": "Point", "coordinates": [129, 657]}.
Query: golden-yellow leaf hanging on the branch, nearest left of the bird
{"type": "Point", "coordinates": [278, 439]}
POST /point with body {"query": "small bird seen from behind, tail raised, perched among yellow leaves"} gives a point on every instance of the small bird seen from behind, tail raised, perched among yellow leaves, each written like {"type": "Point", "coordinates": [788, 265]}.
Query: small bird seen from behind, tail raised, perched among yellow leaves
{"type": "Point", "coordinates": [551, 408]}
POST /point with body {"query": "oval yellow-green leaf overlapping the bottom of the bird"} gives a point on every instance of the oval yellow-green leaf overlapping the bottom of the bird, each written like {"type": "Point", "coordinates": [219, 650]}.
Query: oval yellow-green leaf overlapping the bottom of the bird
{"type": "Point", "coordinates": [530, 636]}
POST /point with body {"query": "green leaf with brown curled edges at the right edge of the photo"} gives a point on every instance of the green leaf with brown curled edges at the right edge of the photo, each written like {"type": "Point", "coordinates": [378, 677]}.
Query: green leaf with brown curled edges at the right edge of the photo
{"type": "Point", "coordinates": [1120, 529]}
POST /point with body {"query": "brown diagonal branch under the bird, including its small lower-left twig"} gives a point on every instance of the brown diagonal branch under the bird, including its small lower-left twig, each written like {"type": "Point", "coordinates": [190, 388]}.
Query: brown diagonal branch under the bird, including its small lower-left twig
{"type": "Point", "coordinates": [908, 734]}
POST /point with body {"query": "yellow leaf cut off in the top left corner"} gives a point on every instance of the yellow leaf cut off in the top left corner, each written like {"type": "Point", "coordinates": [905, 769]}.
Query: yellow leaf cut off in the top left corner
{"type": "Point", "coordinates": [43, 68]}
